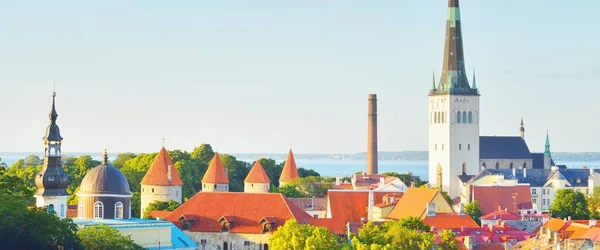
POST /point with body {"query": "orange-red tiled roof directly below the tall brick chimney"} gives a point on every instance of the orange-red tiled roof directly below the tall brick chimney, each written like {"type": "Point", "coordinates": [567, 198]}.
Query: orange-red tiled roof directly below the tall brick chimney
{"type": "Point", "coordinates": [351, 206]}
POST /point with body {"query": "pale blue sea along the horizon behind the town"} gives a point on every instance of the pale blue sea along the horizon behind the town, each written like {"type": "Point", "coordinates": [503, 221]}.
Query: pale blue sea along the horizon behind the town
{"type": "Point", "coordinates": [332, 168]}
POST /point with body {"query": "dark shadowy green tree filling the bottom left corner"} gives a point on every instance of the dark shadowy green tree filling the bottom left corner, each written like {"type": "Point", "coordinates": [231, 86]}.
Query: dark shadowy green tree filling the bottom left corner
{"type": "Point", "coordinates": [25, 228]}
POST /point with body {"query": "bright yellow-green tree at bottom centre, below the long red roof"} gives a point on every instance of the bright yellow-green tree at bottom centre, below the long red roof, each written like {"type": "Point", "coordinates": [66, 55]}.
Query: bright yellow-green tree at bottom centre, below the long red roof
{"type": "Point", "coordinates": [294, 236]}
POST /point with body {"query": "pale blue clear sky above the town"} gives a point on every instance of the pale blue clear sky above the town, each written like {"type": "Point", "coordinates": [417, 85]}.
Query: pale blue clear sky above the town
{"type": "Point", "coordinates": [262, 76]}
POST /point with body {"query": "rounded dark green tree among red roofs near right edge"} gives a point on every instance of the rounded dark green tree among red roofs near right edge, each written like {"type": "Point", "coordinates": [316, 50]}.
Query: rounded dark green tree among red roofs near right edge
{"type": "Point", "coordinates": [570, 203]}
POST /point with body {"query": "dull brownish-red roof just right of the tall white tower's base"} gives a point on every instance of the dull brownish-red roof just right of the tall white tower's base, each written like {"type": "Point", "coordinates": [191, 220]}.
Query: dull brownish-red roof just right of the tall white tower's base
{"type": "Point", "coordinates": [492, 197]}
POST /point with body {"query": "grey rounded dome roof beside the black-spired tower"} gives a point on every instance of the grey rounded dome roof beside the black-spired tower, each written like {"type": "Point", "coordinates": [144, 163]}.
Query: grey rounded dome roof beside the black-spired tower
{"type": "Point", "coordinates": [104, 180]}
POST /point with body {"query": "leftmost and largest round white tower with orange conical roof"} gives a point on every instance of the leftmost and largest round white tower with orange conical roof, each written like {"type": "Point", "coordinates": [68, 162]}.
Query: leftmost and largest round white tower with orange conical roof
{"type": "Point", "coordinates": [161, 182]}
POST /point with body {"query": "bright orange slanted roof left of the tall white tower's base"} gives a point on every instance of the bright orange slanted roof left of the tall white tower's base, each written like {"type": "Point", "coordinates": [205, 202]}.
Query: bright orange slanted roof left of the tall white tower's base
{"type": "Point", "coordinates": [413, 203]}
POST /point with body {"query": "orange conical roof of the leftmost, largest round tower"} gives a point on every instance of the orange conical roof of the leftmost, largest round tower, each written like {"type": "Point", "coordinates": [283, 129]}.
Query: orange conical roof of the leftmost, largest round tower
{"type": "Point", "coordinates": [158, 174]}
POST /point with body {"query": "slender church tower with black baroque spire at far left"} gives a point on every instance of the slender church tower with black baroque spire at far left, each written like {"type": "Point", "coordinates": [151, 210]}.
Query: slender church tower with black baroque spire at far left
{"type": "Point", "coordinates": [52, 181]}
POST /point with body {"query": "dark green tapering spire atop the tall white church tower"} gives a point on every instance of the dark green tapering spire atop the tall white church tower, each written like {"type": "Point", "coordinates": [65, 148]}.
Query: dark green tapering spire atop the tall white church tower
{"type": "Point", "coordinates": [453, 79]}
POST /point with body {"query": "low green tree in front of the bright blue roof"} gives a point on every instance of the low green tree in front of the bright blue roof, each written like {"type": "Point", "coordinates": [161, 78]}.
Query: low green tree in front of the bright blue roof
{"type": "Point", "coordinates": [102, 237]}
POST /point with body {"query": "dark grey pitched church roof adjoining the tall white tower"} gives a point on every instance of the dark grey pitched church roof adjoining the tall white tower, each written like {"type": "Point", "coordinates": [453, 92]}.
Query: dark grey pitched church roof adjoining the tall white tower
{"type": "Point", "coordinates": [503, 147]}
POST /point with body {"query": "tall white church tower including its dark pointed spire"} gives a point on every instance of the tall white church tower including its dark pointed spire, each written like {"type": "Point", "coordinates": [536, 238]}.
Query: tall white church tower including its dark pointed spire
{"type": "Point", "coordinates": [453, 114]}
